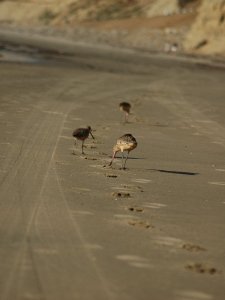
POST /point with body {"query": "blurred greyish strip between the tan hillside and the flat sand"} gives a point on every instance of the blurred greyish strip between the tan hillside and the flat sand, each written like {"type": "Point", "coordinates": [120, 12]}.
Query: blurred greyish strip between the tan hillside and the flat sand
{"type": "Point", "coordinates": [51, 39]}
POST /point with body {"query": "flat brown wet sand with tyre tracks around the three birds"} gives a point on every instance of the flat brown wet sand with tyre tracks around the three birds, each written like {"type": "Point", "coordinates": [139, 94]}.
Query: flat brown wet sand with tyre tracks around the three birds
{"type": "Point", "coordinates": [73, 228]}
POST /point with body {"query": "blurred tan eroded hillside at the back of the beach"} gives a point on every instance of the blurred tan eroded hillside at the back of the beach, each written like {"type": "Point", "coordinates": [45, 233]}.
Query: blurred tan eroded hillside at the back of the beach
{"type": "Point", "coordinates": [194, 26]}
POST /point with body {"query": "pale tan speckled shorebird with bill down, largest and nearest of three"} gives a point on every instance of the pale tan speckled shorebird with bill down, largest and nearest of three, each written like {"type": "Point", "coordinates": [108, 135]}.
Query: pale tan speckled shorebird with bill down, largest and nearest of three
{"type": "Point", "coordinates": [125, 143]}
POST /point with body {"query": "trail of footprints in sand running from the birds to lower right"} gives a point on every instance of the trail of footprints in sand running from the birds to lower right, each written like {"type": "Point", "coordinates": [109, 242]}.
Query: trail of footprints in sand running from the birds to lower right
{"type": "Point", "coordinates": [134, 219]}
